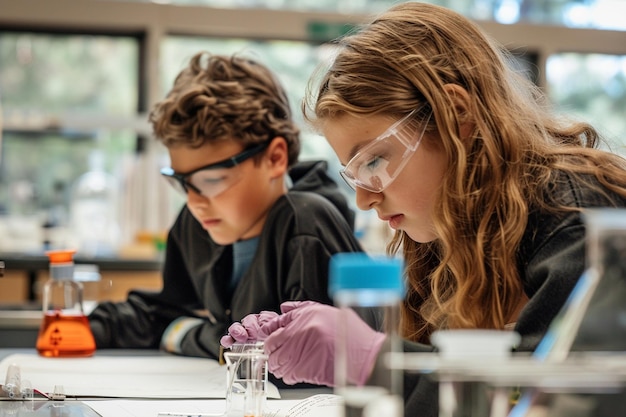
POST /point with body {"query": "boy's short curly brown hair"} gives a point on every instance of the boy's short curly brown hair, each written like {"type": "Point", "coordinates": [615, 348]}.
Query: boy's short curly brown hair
{"type": "Point", "coordinates": [220, 97]}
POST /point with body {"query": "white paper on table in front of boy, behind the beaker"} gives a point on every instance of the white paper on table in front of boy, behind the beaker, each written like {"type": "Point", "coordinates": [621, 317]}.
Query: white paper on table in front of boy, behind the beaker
{"type": "Point", "coordinates": [161, 376]}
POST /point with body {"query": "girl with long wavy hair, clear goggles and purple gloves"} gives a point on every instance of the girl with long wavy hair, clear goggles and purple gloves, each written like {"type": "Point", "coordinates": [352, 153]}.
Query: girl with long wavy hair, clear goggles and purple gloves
{"type": "Point", "coordinates": [482, 184]}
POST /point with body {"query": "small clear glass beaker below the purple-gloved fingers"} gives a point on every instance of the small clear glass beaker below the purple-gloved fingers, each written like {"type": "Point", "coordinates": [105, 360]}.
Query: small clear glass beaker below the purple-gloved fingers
{"type": "Point", "coordinates": [246, 380]}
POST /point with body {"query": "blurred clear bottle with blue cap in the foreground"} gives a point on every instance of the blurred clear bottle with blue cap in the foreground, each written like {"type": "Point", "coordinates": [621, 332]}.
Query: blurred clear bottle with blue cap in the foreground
{"type": "Point", "coordinates": [373, 287]}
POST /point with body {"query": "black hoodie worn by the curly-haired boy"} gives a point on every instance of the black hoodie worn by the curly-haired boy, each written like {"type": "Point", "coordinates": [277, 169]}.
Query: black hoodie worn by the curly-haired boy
{"type": "Point", "coordinates": [304, 228]}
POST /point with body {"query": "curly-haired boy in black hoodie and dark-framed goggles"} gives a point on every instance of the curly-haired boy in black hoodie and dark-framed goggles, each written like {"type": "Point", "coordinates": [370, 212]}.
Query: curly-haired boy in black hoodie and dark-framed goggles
{"type": "Point", "coordinates": [257, 230]}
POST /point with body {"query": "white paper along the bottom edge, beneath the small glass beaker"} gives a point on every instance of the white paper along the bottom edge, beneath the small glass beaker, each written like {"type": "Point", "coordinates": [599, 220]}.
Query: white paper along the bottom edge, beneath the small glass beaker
{"type": "Point", "coordinates": [320, 405]}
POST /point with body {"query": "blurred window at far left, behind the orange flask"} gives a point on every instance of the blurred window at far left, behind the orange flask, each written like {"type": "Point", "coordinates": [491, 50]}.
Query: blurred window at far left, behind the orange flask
{"type": "Point", "coordinates": [65, 98]}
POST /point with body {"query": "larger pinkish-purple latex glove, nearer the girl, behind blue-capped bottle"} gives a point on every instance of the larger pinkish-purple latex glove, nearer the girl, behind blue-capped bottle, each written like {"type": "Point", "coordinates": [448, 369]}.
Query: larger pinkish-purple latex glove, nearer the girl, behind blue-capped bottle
{"type": "Point", "coordinates": [301, 344]}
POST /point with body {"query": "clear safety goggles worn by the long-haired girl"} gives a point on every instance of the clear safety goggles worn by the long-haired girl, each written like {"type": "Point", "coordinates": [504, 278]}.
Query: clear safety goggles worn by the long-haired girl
{"type": "Point", "coordinates": [378, 163]}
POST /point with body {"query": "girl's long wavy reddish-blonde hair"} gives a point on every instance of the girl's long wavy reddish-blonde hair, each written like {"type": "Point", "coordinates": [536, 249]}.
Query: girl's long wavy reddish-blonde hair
{"type": "Point", "coordinates": [468, 277]}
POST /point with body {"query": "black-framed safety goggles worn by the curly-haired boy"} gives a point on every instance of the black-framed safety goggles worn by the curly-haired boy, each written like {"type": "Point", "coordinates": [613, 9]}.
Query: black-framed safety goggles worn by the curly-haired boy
{"type": "Point", "coordinates": [212, 179]}
